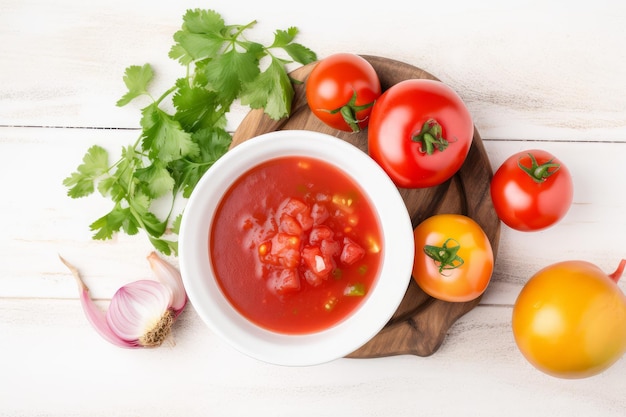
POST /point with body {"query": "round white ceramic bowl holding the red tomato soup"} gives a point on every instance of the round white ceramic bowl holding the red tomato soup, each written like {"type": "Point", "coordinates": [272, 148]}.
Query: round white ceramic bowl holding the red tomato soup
{"type": "Point", "coordinates": [308, 349]}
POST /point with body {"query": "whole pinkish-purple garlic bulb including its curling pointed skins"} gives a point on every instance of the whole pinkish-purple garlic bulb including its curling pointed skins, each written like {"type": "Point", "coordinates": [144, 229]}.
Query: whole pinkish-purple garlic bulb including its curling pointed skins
{"type": "Point", "coordinates": [141, 314]}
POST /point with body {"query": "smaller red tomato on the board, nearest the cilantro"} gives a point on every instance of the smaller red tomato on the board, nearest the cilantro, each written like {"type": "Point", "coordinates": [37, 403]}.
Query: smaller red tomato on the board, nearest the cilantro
{"type": "Point", "coordinates": [341, 91]}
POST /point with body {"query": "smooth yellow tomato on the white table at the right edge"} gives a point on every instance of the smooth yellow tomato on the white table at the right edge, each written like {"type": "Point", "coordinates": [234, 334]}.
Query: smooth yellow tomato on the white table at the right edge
{"type": "Point", "coordinates": [569, 320]}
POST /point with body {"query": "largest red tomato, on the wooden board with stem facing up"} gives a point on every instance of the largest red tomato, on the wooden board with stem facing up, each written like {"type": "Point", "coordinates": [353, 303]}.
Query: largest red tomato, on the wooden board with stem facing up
{"type": "Point", "coordinates": [420, 132]}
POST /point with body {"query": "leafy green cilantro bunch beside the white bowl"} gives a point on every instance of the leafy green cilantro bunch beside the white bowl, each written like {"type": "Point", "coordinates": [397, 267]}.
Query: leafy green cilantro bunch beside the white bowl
{"type": "Point", "coordinates": [175, 148]}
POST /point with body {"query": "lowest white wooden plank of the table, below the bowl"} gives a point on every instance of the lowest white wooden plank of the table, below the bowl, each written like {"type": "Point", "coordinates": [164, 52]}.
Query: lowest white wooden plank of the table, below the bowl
{"type": "Point", "coordinates": [197, 374]}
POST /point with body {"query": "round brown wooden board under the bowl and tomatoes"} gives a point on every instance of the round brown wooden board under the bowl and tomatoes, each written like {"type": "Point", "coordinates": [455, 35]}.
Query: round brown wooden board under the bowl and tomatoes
{"type": "Point", "coordinates": [420, 323]}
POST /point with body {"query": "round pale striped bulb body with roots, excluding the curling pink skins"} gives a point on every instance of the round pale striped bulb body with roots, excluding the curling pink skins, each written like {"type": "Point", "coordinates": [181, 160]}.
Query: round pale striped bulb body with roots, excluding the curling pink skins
{"type": "Point", "coordinates": [141, 308]}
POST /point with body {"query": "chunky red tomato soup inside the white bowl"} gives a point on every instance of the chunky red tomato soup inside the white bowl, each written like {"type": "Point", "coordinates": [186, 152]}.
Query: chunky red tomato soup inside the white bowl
{"type": "Point", "coordinates": [295, 245]}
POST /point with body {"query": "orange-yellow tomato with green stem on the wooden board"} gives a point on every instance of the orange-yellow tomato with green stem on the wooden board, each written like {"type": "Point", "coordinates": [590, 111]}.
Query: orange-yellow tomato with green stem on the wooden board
{"type": "Point", "coordinates": [453, 257]}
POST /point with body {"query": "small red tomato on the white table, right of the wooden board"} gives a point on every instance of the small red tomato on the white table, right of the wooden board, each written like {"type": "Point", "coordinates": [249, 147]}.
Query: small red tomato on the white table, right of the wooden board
{"type": "Point", "coordinates": [532, 190]}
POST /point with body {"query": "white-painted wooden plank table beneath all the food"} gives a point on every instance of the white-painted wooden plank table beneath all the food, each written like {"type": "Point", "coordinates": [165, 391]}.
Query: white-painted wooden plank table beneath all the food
{"type": "Point", "coordinates": [533, 75]}
